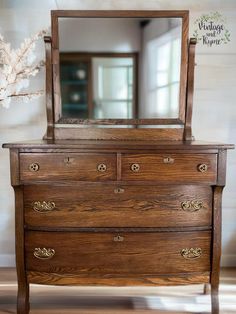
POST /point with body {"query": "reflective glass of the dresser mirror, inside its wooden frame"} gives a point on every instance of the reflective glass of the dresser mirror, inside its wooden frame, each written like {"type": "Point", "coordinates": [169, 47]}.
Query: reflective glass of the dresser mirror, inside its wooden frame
{"type": "Point", "coordinates": [120, 68]}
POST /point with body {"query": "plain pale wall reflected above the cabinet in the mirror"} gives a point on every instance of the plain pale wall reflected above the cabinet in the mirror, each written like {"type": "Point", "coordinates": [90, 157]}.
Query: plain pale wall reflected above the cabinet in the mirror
{"type": "Point", "coordinates": [105, 35]}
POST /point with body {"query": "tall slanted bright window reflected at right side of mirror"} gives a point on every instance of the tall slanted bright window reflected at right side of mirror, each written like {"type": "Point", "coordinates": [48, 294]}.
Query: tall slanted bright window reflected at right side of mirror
{"type": "Point", "coordinates": [164, 79]}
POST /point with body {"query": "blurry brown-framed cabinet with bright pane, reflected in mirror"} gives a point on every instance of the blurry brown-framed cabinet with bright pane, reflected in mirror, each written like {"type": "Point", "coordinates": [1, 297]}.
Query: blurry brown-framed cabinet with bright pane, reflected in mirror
{"type": "Point", "coordinates": [98, 86]}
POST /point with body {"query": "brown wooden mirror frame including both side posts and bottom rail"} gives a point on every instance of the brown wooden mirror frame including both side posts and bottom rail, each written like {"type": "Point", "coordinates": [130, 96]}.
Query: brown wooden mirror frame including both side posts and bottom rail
{"type": "Point", "coordinates": [71, 128]}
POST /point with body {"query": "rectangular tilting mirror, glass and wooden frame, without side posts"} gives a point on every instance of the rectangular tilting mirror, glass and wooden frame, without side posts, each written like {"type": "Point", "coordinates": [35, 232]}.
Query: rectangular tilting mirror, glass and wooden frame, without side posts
{"type": "Point", "coordinates": [114, 69]}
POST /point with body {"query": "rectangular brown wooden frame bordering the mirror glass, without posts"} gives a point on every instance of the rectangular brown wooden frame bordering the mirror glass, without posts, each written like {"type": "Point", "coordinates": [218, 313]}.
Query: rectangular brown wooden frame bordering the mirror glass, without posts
{"type": "Point", "coordinates": [56, 14]}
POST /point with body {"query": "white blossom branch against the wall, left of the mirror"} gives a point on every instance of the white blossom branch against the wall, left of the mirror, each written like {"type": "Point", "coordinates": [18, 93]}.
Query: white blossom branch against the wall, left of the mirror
{"type": "Point", "coordinates": [16, 67]}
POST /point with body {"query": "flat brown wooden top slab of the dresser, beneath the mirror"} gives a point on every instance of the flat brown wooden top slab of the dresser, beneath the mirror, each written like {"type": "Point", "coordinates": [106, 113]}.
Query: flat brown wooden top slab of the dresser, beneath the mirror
{"type": "Point", "coordinates": [119, 145]}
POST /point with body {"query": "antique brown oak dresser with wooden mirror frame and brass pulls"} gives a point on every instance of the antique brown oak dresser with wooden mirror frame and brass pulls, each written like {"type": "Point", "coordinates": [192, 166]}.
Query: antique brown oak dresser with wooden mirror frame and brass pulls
{"type": "Point", "coordinates": [100, 203]}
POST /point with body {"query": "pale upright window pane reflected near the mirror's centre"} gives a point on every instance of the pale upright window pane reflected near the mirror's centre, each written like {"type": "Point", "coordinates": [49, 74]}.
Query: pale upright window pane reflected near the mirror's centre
{"type": "Point", "coordinates": [113, 88]}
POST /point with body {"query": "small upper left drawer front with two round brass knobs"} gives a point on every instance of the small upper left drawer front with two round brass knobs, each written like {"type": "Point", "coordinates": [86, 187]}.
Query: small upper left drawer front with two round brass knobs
{"type": "Point", "coordinates": [61, 166]}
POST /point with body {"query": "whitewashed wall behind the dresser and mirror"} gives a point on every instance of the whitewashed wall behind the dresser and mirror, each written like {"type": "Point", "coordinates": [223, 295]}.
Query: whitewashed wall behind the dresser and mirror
{"type": "Point", "coordinates": [214, 116]}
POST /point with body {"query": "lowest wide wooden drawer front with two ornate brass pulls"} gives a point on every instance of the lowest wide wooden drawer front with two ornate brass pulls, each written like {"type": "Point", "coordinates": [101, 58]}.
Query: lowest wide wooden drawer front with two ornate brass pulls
{"type": "Point", "coordinates": [125, 253]}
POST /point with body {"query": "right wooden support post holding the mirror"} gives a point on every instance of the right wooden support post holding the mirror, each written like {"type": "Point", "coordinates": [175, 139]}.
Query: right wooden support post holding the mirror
{"type": "Point", "coordinates": [190, 89]}
